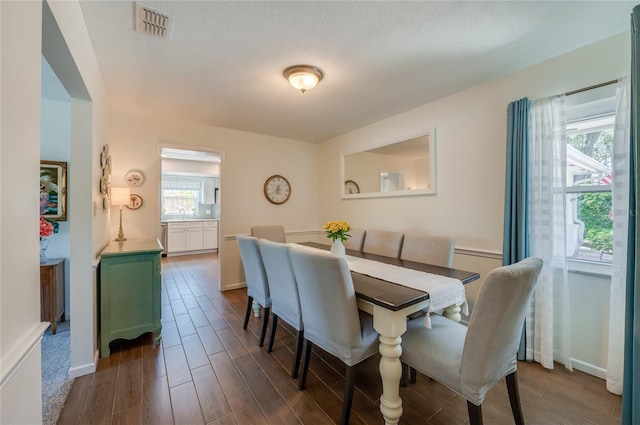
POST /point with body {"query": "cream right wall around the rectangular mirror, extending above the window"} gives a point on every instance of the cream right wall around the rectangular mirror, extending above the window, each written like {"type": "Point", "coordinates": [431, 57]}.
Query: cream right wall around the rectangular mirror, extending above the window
{"type": "Point", "coordinates": [471, 140]}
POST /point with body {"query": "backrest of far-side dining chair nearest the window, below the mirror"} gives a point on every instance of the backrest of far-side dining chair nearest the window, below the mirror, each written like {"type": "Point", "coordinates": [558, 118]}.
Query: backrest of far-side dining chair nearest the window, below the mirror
{"type": "Point", "coordinates": [436, 250]}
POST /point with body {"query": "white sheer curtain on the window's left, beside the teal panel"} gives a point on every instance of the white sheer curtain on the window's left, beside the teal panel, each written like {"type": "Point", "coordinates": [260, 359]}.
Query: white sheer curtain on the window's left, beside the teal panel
{"type": "Point", "coordinates": [547, 227]}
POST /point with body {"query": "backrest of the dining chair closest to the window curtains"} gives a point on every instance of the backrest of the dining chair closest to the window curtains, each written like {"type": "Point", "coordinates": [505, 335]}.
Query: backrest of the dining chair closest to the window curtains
{"type": "Point", "coordinates": [495, 326]}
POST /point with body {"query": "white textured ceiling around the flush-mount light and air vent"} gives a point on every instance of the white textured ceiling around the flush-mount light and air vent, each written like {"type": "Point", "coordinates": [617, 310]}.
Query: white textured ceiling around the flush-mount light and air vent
{"type": "Point", "coordinates": [223, 64]}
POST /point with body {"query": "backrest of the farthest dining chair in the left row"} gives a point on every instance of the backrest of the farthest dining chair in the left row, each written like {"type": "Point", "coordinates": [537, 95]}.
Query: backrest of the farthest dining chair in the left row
{"type": "Point", "coordinates": [254, 272]}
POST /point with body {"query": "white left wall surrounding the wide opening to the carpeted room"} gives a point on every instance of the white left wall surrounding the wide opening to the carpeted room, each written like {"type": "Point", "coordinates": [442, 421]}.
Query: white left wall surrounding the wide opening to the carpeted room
{"type": "Point", "coordinates": [29, 29]}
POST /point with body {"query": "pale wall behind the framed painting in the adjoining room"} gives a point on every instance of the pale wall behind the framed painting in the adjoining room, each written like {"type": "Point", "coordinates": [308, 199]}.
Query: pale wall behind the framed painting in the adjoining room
{"type": "Point", "coordinates": [55, 145]}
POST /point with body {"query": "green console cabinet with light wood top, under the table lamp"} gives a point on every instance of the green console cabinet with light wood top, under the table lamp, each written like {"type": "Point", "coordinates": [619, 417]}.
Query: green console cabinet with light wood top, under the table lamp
{"type": "Point", "coordinates": [130, 291]}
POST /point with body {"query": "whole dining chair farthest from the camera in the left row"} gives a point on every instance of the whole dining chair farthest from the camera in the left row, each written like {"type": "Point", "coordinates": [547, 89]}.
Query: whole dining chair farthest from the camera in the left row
{"type": "Point", "coordinates": [257, 286]}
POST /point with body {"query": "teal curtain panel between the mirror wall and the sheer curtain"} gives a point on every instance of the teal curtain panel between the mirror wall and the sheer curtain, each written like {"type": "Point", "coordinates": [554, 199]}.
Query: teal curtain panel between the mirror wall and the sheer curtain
{"type": "Point", "coordinates": [515, 245]}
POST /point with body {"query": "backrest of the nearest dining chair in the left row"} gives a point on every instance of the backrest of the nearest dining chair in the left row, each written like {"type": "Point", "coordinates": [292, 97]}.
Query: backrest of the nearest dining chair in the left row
{"type": "Point", "coordinates": [328, 301]}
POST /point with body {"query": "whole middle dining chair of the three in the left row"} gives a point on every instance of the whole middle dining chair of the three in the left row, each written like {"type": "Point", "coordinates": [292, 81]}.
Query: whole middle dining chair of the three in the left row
{"type": "Point", "coordinates": [285, 302]}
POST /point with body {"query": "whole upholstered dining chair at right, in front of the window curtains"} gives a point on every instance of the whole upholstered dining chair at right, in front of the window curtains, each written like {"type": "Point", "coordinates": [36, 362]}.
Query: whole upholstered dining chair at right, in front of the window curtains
{"type": "Point", "coordinates": [470, 361]}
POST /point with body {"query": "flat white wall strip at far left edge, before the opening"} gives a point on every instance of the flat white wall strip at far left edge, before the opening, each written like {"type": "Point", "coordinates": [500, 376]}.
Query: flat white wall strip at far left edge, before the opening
{"type": "Point", "coordinates": [20, 327]}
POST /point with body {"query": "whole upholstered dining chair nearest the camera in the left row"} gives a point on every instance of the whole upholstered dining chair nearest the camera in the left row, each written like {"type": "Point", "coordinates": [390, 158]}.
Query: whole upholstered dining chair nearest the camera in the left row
{"type": "Point", "coordinates": [330, 316]}
